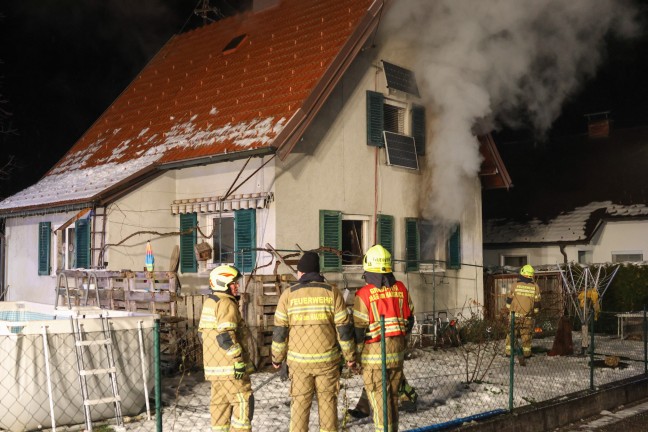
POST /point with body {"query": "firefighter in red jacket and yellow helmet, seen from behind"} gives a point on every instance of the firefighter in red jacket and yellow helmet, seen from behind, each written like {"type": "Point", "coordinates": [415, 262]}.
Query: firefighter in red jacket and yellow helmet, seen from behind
{"type": "Point", "coordinates": [383, 296]}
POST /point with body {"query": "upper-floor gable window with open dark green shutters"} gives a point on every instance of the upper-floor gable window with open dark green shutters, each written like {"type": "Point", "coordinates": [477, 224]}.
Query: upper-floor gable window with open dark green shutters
{"type": "Point", "coordinates": [389, 115]}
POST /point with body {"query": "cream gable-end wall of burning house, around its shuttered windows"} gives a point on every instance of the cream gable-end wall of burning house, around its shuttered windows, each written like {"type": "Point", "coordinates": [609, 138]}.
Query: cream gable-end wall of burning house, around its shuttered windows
{"type": "Point", "coordinates": [332, 168]}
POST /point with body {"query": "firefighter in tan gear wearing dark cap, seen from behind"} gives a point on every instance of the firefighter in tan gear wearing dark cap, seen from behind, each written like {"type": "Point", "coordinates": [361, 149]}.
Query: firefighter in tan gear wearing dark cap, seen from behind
{"type": "Point", "coordinates": [312, 326]}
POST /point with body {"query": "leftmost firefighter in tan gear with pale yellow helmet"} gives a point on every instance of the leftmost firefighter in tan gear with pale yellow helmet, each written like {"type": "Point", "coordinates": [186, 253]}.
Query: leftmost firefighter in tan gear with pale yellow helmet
{"type": "Point", "coordinates": [225, 356]}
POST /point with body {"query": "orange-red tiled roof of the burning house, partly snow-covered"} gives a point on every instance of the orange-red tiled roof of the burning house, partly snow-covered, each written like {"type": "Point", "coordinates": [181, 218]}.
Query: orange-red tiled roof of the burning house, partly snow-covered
{"type": "Point", "coordinates": [203, 96]}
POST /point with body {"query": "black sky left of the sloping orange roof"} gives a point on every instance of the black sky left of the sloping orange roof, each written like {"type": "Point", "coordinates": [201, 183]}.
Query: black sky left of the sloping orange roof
{"type": "Point", "coordinates": [65, 61]}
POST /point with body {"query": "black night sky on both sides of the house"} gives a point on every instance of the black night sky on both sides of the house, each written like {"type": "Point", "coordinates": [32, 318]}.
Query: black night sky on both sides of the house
{"type": "Point", "coordinates": [65, 61]}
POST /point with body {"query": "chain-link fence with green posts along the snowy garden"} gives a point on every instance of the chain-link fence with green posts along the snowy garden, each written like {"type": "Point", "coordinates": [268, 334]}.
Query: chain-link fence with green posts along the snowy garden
{"type": "Point", "coordinates": [456, 376]}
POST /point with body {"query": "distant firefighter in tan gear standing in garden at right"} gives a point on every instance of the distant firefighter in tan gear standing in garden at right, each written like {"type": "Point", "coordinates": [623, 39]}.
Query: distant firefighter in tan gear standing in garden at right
{"type": "Point", "coordinates": [524, 300]}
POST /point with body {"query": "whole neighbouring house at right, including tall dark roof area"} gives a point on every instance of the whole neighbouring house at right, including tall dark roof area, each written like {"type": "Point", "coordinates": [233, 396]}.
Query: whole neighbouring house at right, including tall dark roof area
{"type": "Point", "coordinates": [586, 202]}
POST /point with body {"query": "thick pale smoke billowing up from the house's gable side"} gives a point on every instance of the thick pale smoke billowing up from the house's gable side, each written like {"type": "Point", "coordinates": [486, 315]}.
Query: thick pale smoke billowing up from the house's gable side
{"type": "Point", "coordinates": [494, 62]}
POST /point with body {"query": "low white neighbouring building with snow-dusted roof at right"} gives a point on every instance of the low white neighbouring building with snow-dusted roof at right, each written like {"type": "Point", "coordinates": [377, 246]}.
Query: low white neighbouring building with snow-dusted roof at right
{"type": "Point", "coordinates": [600, 232]}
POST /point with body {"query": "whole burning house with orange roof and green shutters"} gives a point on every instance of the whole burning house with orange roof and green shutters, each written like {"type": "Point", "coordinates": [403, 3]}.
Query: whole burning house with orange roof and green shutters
{"type": "Point", "coordinates": [276, 127]}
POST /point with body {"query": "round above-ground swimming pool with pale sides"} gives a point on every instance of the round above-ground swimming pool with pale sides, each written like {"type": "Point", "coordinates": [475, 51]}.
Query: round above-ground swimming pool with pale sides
{"type": "Point", "coordinates": [39, 379]}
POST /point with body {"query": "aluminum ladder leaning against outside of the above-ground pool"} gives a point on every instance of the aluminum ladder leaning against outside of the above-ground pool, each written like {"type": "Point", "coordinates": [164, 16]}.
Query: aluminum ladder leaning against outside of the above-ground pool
{"type": "Point", "coordinates": [102, 355]}
